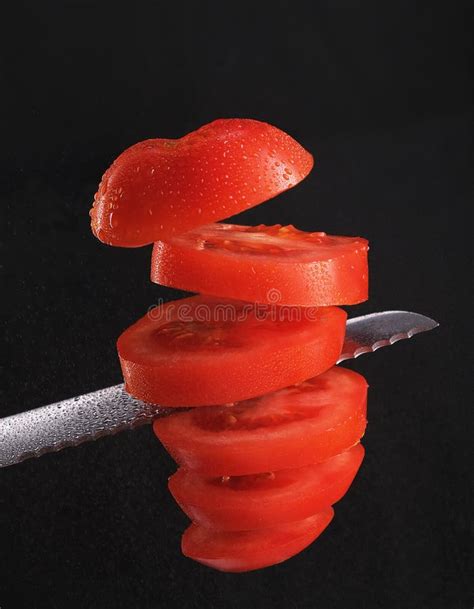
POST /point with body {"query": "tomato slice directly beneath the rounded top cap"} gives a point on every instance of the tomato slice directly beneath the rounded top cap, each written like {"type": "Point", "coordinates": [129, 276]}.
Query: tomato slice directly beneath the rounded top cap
{"type": "Point", "coordinates": [264, 264]}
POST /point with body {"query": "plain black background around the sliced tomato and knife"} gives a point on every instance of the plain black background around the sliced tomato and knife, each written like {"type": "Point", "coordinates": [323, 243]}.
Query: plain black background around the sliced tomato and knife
{"type": "Point", "coordinates": [379, 92]}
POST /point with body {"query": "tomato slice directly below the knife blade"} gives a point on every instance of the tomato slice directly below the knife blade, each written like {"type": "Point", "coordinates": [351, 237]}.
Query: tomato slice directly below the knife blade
{"type": "Point", "coordinates": [293, 427]}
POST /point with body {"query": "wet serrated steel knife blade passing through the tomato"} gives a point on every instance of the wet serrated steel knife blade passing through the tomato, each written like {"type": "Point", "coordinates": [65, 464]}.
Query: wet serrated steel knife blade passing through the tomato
{"type": "Point", "coordinates": [107, 411]}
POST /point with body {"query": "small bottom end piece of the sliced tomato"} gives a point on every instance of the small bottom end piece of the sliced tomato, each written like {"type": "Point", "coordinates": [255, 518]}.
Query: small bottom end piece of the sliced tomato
{"type": "Point", "coordinates": [238, 551]}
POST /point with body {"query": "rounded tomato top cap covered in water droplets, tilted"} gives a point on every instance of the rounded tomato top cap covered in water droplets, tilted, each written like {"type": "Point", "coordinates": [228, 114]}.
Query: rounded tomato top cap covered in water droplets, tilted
{"type": "Point", "coordinates": [159, 187]}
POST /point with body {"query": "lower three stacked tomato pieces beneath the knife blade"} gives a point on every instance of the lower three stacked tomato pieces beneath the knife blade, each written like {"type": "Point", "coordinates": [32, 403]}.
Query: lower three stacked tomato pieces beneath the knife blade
{"type": "Point", "coordinates": [271, 466]}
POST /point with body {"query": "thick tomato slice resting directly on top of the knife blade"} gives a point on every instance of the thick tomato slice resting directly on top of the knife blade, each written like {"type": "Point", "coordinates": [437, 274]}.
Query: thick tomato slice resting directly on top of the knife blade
{"type": "Point", "coordinates": [201, 351]}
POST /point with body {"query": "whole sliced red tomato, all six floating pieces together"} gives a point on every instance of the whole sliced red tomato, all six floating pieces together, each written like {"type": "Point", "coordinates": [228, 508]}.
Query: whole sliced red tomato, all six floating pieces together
{"type": "Point", "coordinates": [272, 440]}
